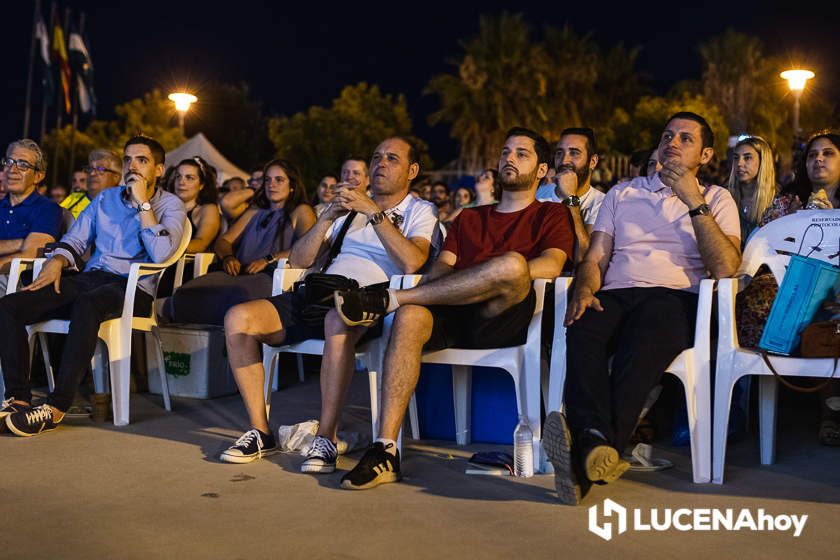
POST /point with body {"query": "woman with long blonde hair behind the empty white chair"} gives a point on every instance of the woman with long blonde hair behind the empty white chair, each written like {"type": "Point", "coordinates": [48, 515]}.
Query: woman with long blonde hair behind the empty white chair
{"type": "Point", "coordinates": [752, 182]}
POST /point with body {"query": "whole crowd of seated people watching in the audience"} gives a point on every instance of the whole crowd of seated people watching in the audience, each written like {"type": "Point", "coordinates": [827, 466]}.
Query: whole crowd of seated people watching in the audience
{"type": "Point", "coordinates": [638, 253]}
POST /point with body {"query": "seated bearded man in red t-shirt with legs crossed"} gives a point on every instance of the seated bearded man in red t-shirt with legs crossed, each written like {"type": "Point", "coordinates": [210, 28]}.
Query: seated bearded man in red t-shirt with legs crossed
{"type": "Point", "coordinates": [478, 293]}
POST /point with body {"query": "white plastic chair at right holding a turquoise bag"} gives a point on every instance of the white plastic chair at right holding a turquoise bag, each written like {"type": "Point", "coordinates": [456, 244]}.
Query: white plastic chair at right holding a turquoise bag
{"type": "Point", "coordinates": [767, 246]}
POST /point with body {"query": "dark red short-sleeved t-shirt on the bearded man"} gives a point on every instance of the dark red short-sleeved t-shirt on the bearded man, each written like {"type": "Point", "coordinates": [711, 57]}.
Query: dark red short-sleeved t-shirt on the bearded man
{"type": "Point", "coordinates": [481, 233]}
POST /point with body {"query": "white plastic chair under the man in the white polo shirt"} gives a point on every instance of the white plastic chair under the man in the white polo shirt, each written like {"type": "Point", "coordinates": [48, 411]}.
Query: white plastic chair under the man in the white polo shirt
{"type": "Point", "coordinates": [369, 354]}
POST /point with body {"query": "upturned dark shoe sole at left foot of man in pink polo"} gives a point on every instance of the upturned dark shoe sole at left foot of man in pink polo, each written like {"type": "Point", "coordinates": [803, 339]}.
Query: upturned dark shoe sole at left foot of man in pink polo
{"type": "Point", "coordinates": [572, 486]}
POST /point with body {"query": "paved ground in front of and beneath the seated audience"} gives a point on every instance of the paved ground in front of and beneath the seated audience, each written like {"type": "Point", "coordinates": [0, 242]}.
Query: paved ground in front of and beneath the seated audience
{"type": "Point", "coordinates": [155, 490]}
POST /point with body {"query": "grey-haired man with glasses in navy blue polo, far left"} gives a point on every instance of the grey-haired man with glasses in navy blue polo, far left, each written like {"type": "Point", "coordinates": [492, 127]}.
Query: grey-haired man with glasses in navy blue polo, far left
{"type": "Point", "coordinates": [28, 221]}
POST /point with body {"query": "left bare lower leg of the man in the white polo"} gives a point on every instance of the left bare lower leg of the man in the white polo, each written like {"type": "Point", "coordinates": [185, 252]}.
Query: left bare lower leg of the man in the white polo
{"type": "Point", "coordinates": [247, 326]}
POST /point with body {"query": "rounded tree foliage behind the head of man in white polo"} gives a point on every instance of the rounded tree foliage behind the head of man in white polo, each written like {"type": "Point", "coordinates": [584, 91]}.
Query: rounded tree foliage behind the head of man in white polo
{"type": "Point", "coordinates": [320, 138]}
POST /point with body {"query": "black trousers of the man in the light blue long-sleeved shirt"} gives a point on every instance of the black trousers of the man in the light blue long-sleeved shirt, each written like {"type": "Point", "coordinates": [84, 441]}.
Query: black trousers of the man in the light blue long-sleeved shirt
{"type": "Point", "coordinates": [86, 299]}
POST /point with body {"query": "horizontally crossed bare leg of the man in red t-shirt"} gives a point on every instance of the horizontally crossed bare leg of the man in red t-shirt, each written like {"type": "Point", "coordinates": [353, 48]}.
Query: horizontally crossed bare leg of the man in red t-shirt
{"type": "Point", "coordinates": [500, 282]}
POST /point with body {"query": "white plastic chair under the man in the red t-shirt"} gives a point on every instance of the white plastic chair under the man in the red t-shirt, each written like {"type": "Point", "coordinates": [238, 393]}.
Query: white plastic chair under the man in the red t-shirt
{"type": "Point", "coordinates": [521, 362]}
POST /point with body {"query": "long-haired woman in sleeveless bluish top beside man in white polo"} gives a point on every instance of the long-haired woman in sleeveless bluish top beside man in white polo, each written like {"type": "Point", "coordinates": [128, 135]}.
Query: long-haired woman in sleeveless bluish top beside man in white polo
{"type": "Point", "coordinates": [249, 250]}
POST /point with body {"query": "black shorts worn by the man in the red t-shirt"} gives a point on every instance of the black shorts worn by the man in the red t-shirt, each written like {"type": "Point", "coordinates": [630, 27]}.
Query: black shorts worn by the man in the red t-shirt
{"type": "Point", "coordinates": [462, 326]}
